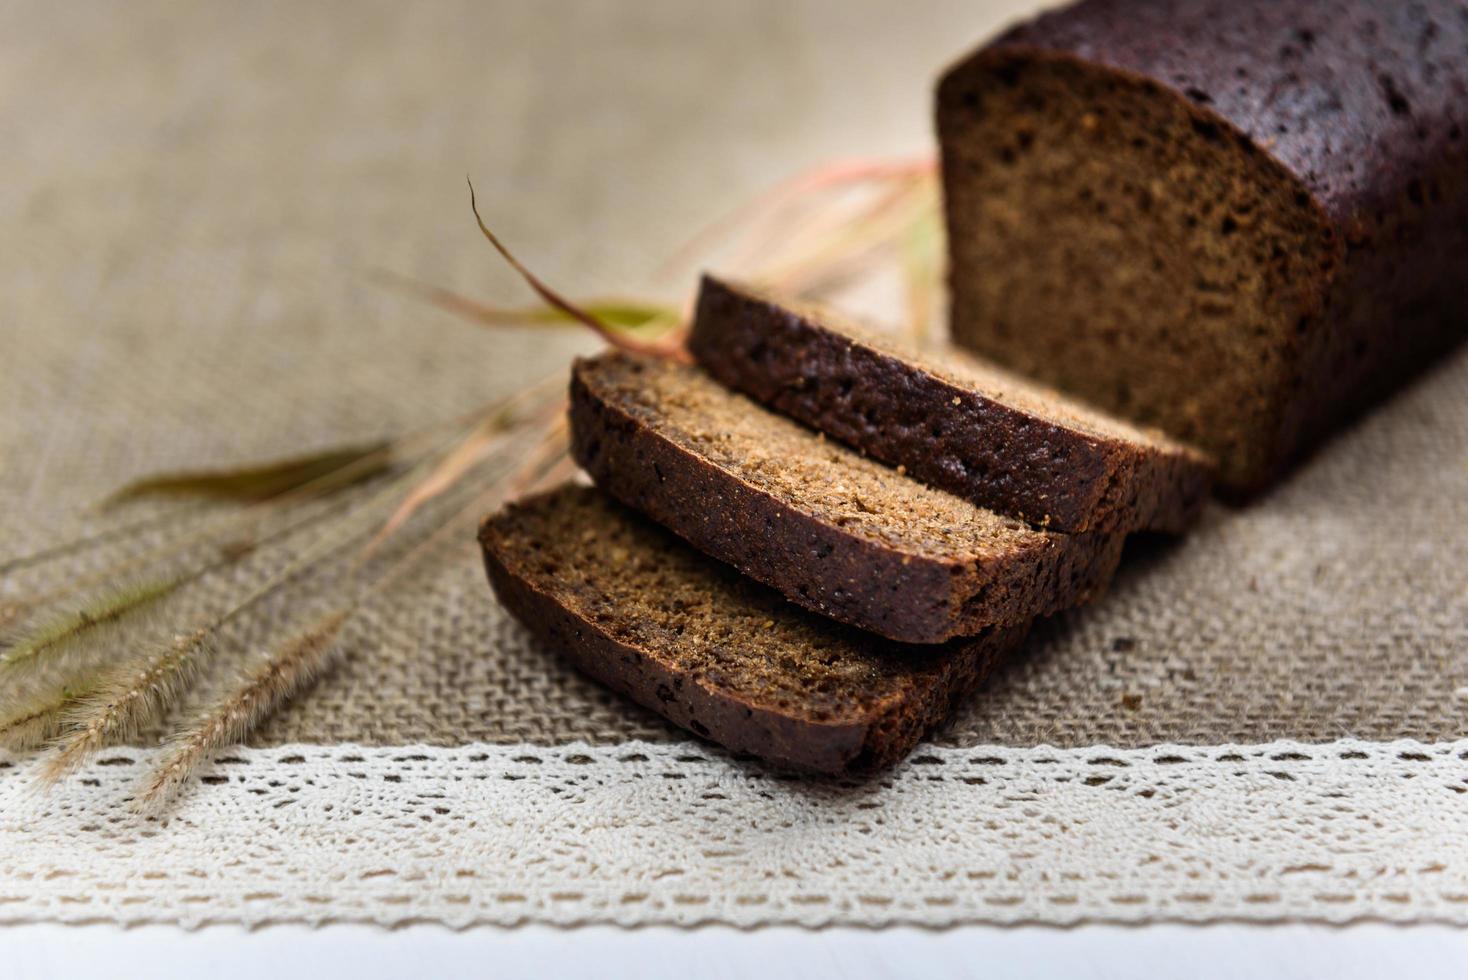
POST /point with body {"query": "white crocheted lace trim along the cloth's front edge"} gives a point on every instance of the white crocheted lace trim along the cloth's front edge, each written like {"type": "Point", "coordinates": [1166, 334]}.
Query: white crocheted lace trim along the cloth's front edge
{"type": "Point", "coordinates": [641, 834]}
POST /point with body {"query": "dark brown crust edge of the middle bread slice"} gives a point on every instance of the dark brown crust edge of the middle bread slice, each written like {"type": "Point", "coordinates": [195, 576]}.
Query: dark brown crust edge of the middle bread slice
{"type": "Point", "coordinates": [824, 568]}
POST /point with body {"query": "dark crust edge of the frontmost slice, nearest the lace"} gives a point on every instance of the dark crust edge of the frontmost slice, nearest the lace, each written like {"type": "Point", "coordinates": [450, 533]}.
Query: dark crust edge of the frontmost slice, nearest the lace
{"type": "Point", "coordinates": [877, 742]}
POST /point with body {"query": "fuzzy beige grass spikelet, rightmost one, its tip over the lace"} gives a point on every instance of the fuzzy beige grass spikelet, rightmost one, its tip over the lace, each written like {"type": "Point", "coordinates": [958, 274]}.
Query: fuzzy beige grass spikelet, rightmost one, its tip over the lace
{"type": "Point", "coordinates": [261, 692]}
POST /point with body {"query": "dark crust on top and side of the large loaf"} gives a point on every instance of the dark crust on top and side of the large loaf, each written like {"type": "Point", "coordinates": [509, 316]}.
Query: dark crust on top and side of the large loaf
{"type": "Point", "coordinates": [1365, 108]}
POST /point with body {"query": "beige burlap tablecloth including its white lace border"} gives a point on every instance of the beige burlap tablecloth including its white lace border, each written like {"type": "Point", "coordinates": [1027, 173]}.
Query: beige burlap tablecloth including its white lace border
{"type": "Point", "coordinates": [195, 197]}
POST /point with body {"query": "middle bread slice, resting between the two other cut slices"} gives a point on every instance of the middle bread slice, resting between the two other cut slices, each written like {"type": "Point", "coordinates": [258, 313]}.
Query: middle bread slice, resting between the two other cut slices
{"type": "Point", "coordinates": [833, 530]}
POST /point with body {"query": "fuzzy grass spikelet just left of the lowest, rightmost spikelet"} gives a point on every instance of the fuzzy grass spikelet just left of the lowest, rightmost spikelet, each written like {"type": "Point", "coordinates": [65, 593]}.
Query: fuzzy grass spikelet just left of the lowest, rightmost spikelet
{"type": "Point", "coordinates": [128, 698]}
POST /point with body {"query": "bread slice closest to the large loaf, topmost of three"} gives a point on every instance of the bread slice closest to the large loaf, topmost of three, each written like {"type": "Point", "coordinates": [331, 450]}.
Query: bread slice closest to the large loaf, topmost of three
{"type": "Point", "coordinates": [949, 419]}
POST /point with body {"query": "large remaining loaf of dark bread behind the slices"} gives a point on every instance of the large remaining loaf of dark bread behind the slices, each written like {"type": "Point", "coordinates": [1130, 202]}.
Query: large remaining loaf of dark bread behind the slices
{"type": "Point", "coordinates": [1238, 221]}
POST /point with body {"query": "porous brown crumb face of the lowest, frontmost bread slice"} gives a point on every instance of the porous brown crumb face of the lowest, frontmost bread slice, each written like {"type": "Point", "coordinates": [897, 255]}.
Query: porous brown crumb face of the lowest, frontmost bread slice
{"type": "Point", "coordinates": [650, 589]}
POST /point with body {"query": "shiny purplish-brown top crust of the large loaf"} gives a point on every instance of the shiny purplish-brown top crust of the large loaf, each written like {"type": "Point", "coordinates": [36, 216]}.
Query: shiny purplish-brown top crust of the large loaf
{"type": "Point", "coordinates": [1356, 98]}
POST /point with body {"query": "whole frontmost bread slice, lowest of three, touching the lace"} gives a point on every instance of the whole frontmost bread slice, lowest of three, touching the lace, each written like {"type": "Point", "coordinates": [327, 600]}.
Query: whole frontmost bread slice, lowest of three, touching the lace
{"type": "Point", "coordinates": [713, 652]}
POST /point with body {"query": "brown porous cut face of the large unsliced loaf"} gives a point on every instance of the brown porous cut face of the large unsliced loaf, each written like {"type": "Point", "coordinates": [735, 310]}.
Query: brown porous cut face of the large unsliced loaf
{"type": "Point", "coordinates": [1111, 235]}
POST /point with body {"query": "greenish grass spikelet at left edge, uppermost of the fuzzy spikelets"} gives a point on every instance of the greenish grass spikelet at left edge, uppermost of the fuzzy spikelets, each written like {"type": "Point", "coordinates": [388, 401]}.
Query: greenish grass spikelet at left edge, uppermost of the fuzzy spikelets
{"type": "Point", "coordinates": [86, 632]}
